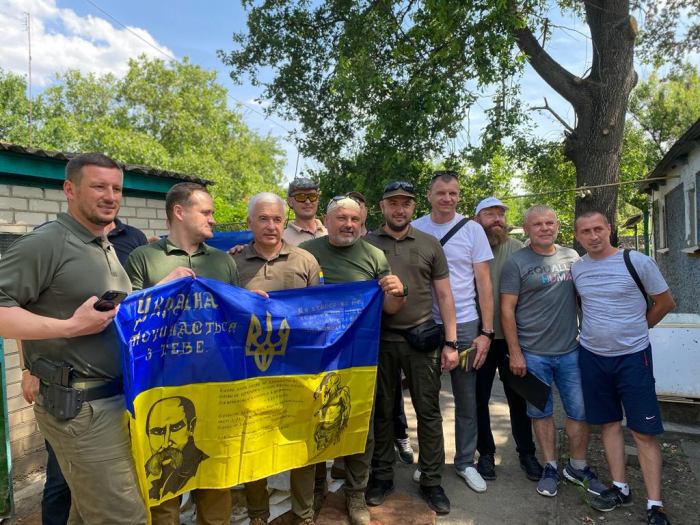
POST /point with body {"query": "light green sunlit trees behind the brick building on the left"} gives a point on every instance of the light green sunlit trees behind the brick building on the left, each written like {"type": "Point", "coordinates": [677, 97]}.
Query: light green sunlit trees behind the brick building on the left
{"type": "Point", "coordinates": [172, 116]}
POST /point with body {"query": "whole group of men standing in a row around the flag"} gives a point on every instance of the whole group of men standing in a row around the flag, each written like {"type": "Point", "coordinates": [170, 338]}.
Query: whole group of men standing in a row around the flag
{"type": "Point", "coordinates": [494, 303]}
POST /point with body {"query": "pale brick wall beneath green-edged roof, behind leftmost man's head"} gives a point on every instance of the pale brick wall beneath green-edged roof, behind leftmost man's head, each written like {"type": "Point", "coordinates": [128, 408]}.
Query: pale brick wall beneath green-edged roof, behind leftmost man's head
{"type": "Point", "coordinates": [23, 208]}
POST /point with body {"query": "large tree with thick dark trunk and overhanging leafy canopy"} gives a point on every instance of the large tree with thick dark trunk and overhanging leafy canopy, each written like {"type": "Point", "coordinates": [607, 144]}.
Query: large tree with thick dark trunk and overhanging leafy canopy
{"type": "Point", "coordinates": [398, 78]}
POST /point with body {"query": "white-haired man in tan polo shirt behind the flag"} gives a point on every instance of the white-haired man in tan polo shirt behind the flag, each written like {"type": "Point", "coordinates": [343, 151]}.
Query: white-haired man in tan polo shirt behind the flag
{"type": "Point", "coordinates": [269, 263]}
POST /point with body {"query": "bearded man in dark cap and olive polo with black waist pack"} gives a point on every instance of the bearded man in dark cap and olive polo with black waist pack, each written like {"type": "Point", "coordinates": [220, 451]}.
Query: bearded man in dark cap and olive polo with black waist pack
{"type": "Point", "coordinates": [419, 261]}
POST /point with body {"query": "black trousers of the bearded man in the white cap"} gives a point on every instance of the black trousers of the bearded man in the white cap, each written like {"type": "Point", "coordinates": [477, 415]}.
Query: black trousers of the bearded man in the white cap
{"type": "Point", "coordinates": [520, 424]}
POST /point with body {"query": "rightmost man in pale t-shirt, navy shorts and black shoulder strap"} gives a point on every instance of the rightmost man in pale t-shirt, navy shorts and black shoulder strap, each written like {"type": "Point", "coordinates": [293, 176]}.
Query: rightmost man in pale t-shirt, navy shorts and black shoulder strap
{"type": "Point", "coordinates": [616, 365]}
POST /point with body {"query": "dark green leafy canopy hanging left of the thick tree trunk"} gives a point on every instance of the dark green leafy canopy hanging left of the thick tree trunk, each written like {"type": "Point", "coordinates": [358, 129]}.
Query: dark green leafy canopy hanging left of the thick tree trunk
{"type": "Point", "coordinates": [385, 77]}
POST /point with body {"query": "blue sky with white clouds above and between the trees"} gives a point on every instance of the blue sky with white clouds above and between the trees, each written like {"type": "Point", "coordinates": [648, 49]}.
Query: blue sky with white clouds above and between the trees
{"type": "Point", "coordinates": [75, 34]}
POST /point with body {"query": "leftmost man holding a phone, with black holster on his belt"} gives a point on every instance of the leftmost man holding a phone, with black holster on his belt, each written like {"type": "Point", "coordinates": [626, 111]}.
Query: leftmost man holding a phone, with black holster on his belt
{"type": "Point", "coordinates": [50, 280]}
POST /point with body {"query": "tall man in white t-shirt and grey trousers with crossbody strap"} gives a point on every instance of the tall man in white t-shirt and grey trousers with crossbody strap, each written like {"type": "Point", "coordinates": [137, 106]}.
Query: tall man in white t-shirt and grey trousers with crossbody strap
{"type": "Point", "coordinates": [468, 254]}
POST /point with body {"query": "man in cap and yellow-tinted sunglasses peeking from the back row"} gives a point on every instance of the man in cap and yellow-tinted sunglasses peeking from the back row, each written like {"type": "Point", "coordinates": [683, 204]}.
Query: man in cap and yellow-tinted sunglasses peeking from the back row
{"type": "Point", "coordinates": [302, 197]}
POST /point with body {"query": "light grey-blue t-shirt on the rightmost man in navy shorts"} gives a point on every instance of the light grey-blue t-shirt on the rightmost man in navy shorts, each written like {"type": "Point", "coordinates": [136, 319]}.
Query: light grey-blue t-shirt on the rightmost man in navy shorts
{"type": "Point", "coordinates": [614, 318]}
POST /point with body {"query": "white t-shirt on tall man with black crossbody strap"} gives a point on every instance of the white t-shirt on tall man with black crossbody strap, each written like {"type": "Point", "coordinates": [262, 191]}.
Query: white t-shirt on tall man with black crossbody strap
{"type": "Point", "coordinates": [466, 247]}
